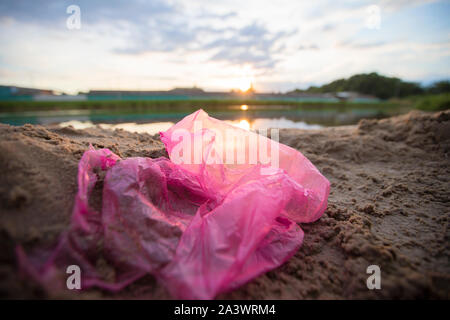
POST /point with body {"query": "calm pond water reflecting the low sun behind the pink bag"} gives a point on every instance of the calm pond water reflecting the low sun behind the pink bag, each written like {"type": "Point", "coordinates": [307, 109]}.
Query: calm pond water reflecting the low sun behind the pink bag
{"type": "Point", "coordinates": [247, 117]}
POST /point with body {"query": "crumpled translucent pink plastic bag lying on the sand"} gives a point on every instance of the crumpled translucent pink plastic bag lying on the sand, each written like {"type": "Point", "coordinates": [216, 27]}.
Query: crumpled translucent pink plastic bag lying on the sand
{"type": "Point", "coordinates": [201, 226]}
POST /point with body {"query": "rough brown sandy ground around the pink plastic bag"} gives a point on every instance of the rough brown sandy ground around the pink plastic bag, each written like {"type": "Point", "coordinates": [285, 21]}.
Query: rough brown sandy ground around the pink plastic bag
{"type": "Point", "coordinates": [389, 206]}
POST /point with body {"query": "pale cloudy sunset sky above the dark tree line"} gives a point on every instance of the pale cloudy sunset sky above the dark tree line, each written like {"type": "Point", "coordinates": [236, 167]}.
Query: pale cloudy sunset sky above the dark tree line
{"type": "Point", "coordinates": [276, 46]}
